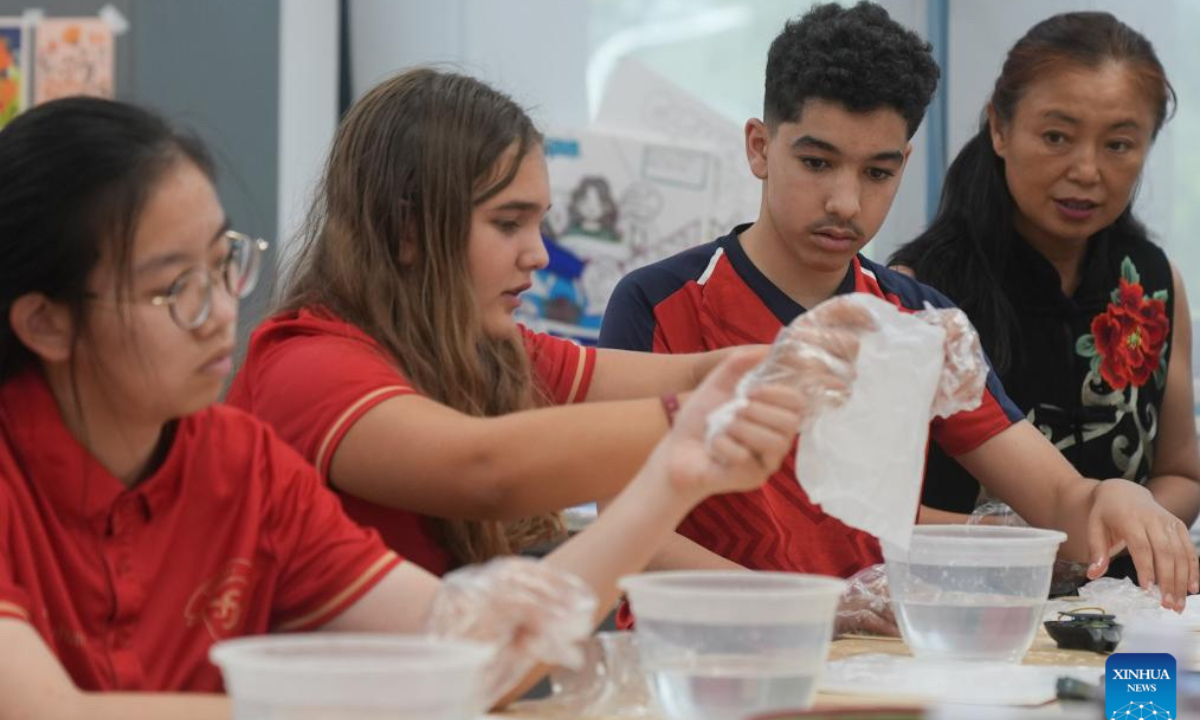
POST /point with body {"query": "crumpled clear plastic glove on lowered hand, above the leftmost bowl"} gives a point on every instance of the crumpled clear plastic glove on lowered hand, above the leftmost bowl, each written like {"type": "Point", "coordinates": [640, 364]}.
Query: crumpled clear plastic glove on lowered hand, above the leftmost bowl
{"type": "Point", "coordinates": [535, 613]}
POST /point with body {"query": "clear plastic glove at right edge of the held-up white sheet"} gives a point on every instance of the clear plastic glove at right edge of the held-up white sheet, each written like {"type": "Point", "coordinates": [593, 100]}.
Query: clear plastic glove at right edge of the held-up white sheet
{"type": "Point", "coordinates": [964, 370]}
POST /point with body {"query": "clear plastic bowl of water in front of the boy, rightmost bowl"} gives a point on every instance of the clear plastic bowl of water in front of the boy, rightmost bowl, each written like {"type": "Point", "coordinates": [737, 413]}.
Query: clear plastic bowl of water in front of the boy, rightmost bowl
{"type": "Point", "coordinates": [971, 592]}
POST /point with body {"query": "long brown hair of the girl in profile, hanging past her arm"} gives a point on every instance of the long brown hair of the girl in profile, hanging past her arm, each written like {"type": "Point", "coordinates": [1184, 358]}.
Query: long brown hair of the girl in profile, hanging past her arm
{"type": "Point", "coordinates": [385, 248]}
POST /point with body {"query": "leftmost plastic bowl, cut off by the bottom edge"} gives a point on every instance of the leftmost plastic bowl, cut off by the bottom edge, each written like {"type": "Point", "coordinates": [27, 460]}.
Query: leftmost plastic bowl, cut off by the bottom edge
{"type": "Point", "coordinates": [353, 677]}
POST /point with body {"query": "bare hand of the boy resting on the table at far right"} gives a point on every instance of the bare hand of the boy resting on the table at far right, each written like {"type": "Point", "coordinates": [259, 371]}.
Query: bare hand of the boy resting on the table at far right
{"type": "Point", "coordinates": [1125, 515]}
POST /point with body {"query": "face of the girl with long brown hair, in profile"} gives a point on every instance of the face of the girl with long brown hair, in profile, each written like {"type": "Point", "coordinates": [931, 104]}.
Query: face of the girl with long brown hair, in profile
{"type": "Point", "coordinates": [506, 245]}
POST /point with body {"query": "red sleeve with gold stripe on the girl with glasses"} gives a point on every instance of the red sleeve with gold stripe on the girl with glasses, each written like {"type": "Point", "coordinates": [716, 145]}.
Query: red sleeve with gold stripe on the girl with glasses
{"type": "Point", "coordinates": [327, 562]}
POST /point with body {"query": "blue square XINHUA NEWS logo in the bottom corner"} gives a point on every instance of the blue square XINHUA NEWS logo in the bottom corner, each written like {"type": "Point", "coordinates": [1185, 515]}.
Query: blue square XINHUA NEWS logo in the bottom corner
{"type": "Point", "coordinates": [1139, 686]}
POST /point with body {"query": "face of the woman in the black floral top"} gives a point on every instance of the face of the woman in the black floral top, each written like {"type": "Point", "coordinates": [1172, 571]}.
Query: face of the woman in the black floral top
{"type": "Point", "coordinates": [1073, 152]}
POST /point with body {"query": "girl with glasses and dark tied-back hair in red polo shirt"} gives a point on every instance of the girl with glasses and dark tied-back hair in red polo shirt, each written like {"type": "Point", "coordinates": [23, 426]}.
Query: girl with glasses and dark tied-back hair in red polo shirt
{"type": "Point", "coordinates": [140, 523]}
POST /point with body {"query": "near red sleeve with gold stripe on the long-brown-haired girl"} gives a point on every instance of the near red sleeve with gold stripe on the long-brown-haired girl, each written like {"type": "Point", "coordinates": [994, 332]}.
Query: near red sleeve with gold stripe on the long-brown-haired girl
{"type": "Point", "coordinates": [314, 389]}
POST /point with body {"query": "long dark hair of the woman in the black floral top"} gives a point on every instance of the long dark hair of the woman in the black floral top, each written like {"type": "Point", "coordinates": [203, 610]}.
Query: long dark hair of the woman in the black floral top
{"type": "Point", "coordinates": [967, 250]}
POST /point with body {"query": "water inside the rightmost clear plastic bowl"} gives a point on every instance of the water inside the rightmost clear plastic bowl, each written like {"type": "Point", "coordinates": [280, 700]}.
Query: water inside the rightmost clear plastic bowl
{"type": "Point", "coordinates": [970, 626]}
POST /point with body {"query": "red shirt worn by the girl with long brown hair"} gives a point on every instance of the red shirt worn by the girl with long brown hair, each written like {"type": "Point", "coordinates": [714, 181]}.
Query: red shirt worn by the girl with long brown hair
{"type": "Point", "coordinates": [313, 376]}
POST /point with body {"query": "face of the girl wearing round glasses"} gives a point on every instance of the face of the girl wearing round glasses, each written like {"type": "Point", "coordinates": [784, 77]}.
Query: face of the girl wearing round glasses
{"type": "Point", "coordinates": [133, 353]}
